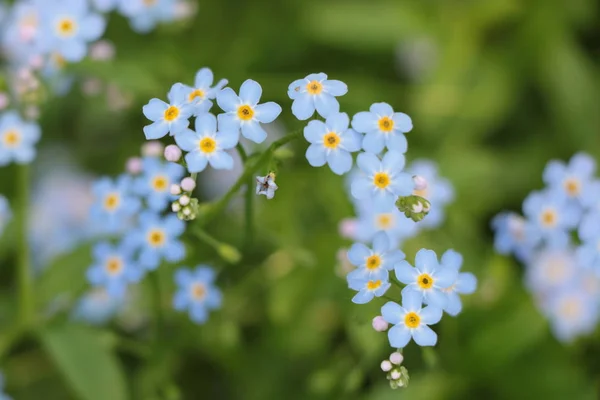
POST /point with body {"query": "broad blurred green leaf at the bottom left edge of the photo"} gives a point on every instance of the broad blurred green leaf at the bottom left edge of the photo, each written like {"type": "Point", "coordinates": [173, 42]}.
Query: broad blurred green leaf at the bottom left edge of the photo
{"type": "Point", "coordinates": [89, 368]}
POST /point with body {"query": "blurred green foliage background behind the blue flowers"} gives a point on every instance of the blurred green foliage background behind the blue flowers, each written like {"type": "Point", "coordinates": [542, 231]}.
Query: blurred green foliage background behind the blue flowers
{"type": "Point", "coordinates": [495, 88]}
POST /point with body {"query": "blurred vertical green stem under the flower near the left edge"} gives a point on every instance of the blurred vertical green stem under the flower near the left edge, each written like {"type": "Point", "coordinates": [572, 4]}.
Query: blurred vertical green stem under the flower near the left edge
{"type": "Point", "coordinates": [25, 281]}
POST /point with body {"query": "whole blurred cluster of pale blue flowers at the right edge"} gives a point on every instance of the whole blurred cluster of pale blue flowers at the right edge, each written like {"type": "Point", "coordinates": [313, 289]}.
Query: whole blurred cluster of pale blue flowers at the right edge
{"type": "Point", "coordinates": [558, 241]}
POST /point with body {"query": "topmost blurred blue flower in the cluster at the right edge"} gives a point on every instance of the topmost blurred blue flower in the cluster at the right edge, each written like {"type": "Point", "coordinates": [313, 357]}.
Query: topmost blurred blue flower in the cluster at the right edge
{"type": "Point", "coordinates": [571, 179]}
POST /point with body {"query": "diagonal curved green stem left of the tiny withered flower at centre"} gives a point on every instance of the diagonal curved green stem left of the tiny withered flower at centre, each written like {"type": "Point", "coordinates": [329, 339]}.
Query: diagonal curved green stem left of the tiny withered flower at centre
{"type": "Point", "coordinates": [215, 209]}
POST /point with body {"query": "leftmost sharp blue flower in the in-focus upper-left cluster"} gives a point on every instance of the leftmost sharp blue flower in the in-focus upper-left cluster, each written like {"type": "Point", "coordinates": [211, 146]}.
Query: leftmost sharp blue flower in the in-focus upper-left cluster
{"type": "Point", "coordinates": [170, 118]}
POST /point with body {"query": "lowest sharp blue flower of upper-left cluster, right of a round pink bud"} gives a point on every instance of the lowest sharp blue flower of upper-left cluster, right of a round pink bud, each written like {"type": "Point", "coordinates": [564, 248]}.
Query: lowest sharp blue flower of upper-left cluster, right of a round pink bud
{"type": "Point", "coordinates": [206, 145]}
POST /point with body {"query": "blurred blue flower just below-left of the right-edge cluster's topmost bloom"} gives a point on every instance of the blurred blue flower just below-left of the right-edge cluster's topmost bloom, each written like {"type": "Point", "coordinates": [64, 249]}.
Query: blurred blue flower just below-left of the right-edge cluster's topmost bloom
{"type": "Point", "coordinates": [550, 216]}
